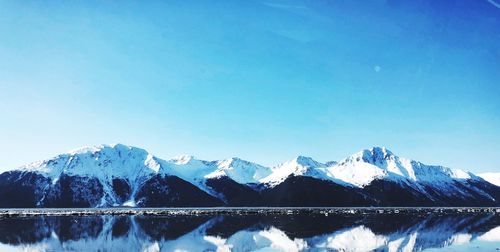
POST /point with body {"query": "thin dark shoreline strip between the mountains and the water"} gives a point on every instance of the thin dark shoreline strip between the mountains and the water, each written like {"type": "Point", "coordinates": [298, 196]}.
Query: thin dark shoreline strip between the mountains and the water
{"type": "Point", "coordinates": [27, 212]}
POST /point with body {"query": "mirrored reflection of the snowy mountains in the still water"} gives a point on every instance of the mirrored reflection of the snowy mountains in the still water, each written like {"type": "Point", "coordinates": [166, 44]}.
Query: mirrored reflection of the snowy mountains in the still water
{"type": "Point", "coordinates": [396, 232]}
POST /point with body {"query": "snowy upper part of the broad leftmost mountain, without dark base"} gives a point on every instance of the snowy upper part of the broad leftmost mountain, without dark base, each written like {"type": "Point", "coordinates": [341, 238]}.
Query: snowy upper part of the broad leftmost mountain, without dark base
{"type": "Point", "coordinates": [105, 164]}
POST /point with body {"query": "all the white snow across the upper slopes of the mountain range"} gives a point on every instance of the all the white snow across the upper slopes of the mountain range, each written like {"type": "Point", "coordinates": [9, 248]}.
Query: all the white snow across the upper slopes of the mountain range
{"type": "Point", "coordinates": [106, 162]}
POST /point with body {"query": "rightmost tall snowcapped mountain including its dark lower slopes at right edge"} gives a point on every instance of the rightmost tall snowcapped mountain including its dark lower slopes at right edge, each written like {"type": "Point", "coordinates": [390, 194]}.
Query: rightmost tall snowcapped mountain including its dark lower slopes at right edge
{"type": "Point", "coordinates": [380, 172]}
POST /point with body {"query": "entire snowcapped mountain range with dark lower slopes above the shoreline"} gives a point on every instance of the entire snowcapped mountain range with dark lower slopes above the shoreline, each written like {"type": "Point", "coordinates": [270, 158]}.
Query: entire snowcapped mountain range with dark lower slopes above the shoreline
{"type": "Point", "coordinates": [120, 175]}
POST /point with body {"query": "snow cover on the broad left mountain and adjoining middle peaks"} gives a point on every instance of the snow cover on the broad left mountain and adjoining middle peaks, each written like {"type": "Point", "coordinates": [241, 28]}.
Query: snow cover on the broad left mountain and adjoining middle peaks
{"type": "Point", "coordinates": [135, 165]}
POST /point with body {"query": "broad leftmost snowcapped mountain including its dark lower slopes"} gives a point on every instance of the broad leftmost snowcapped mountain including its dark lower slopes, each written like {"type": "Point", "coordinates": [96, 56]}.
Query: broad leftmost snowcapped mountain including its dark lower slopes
{"type": "Point", "coordinates": [106, 175]}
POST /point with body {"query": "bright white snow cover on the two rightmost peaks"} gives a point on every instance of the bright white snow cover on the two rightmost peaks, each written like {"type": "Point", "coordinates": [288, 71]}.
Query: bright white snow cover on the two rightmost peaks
{"type": "Point", "coordinates": [363, 167]}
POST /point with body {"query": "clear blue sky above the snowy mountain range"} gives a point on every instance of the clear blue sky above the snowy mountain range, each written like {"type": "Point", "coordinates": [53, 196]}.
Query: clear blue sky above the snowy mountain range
{"type": "Point", "coordinates": [261, 80]}
